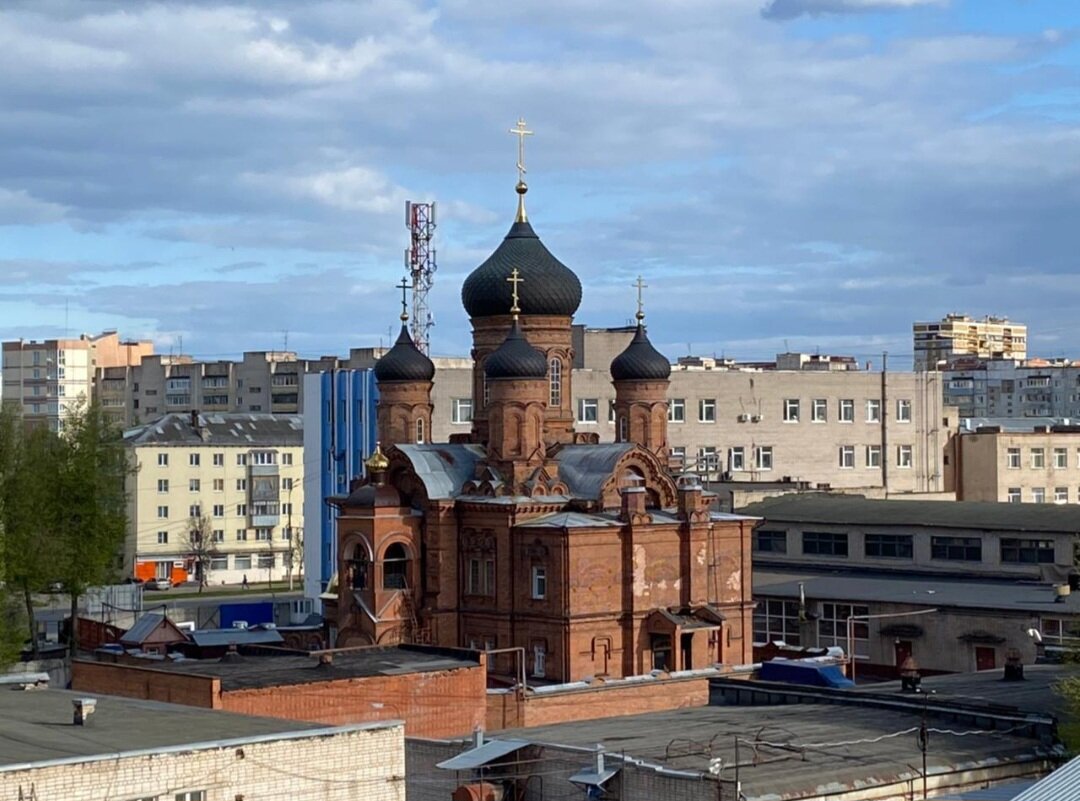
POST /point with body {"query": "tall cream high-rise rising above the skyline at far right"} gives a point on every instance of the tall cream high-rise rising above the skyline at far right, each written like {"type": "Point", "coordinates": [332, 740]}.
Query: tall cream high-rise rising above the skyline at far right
{"type": "Point", "coordinates": [957, 335]}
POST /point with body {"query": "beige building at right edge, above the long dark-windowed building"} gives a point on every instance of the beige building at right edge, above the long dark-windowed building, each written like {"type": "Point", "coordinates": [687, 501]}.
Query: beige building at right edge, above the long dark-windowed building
{"type": "Point", "coordinates": [1038, 466]}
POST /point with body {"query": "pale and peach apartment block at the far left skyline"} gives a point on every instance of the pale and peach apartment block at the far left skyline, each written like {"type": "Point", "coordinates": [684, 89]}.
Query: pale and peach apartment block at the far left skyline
{"type": "Point", "coordinates": [47, 377]}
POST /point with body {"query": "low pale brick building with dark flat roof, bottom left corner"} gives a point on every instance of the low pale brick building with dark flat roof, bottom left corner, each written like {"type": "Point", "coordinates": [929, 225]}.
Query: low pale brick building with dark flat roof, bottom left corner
{"type": "Point", "coordinates": [144, 750]}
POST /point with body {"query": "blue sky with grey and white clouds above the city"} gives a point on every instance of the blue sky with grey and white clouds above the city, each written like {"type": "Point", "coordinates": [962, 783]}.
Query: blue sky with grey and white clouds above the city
{"type": "Point", "coordinates": [786, 174]}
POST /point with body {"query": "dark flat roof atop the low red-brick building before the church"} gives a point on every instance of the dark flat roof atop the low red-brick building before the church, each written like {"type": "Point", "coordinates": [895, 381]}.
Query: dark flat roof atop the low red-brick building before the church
{"type": "Point", "coordinates": [250, 672]}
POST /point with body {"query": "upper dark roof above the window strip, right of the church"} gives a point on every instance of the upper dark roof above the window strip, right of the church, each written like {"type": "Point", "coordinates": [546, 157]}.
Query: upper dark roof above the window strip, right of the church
{"type": "Point", "coordinates": [840, 510]}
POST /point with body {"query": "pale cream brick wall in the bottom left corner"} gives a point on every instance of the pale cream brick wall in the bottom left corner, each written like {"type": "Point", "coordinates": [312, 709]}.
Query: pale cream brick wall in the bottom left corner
{"type": "Point", "coordinates": [369, 764]}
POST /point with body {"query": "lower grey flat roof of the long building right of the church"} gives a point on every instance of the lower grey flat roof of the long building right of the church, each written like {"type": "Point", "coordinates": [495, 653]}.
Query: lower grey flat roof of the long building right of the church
{"type": "Point", "coordinates": [919, 591]}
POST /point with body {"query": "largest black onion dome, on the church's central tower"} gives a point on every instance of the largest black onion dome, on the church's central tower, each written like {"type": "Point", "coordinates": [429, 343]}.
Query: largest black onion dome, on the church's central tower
{"type": "Point", "coordinates": [548, 288]}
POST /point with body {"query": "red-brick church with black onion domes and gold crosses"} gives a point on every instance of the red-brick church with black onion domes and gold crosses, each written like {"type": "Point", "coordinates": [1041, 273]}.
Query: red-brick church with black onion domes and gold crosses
{"type": "Point", "coordinates": [568, 558]}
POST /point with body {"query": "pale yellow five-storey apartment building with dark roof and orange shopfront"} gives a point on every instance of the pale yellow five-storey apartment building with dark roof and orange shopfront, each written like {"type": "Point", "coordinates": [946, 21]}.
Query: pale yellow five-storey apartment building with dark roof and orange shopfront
{"type": "Point", "coordinates": [238, 479]}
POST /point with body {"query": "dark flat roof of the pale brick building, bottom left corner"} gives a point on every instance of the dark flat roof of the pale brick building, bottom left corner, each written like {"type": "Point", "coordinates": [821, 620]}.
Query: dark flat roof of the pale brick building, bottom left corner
{"type": "Point", "coordinates": [37, 729]}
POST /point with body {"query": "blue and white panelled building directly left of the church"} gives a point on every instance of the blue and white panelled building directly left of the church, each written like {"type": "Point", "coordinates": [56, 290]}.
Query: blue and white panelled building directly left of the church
{"type": "Point", "coordinates": [340, 435]}
